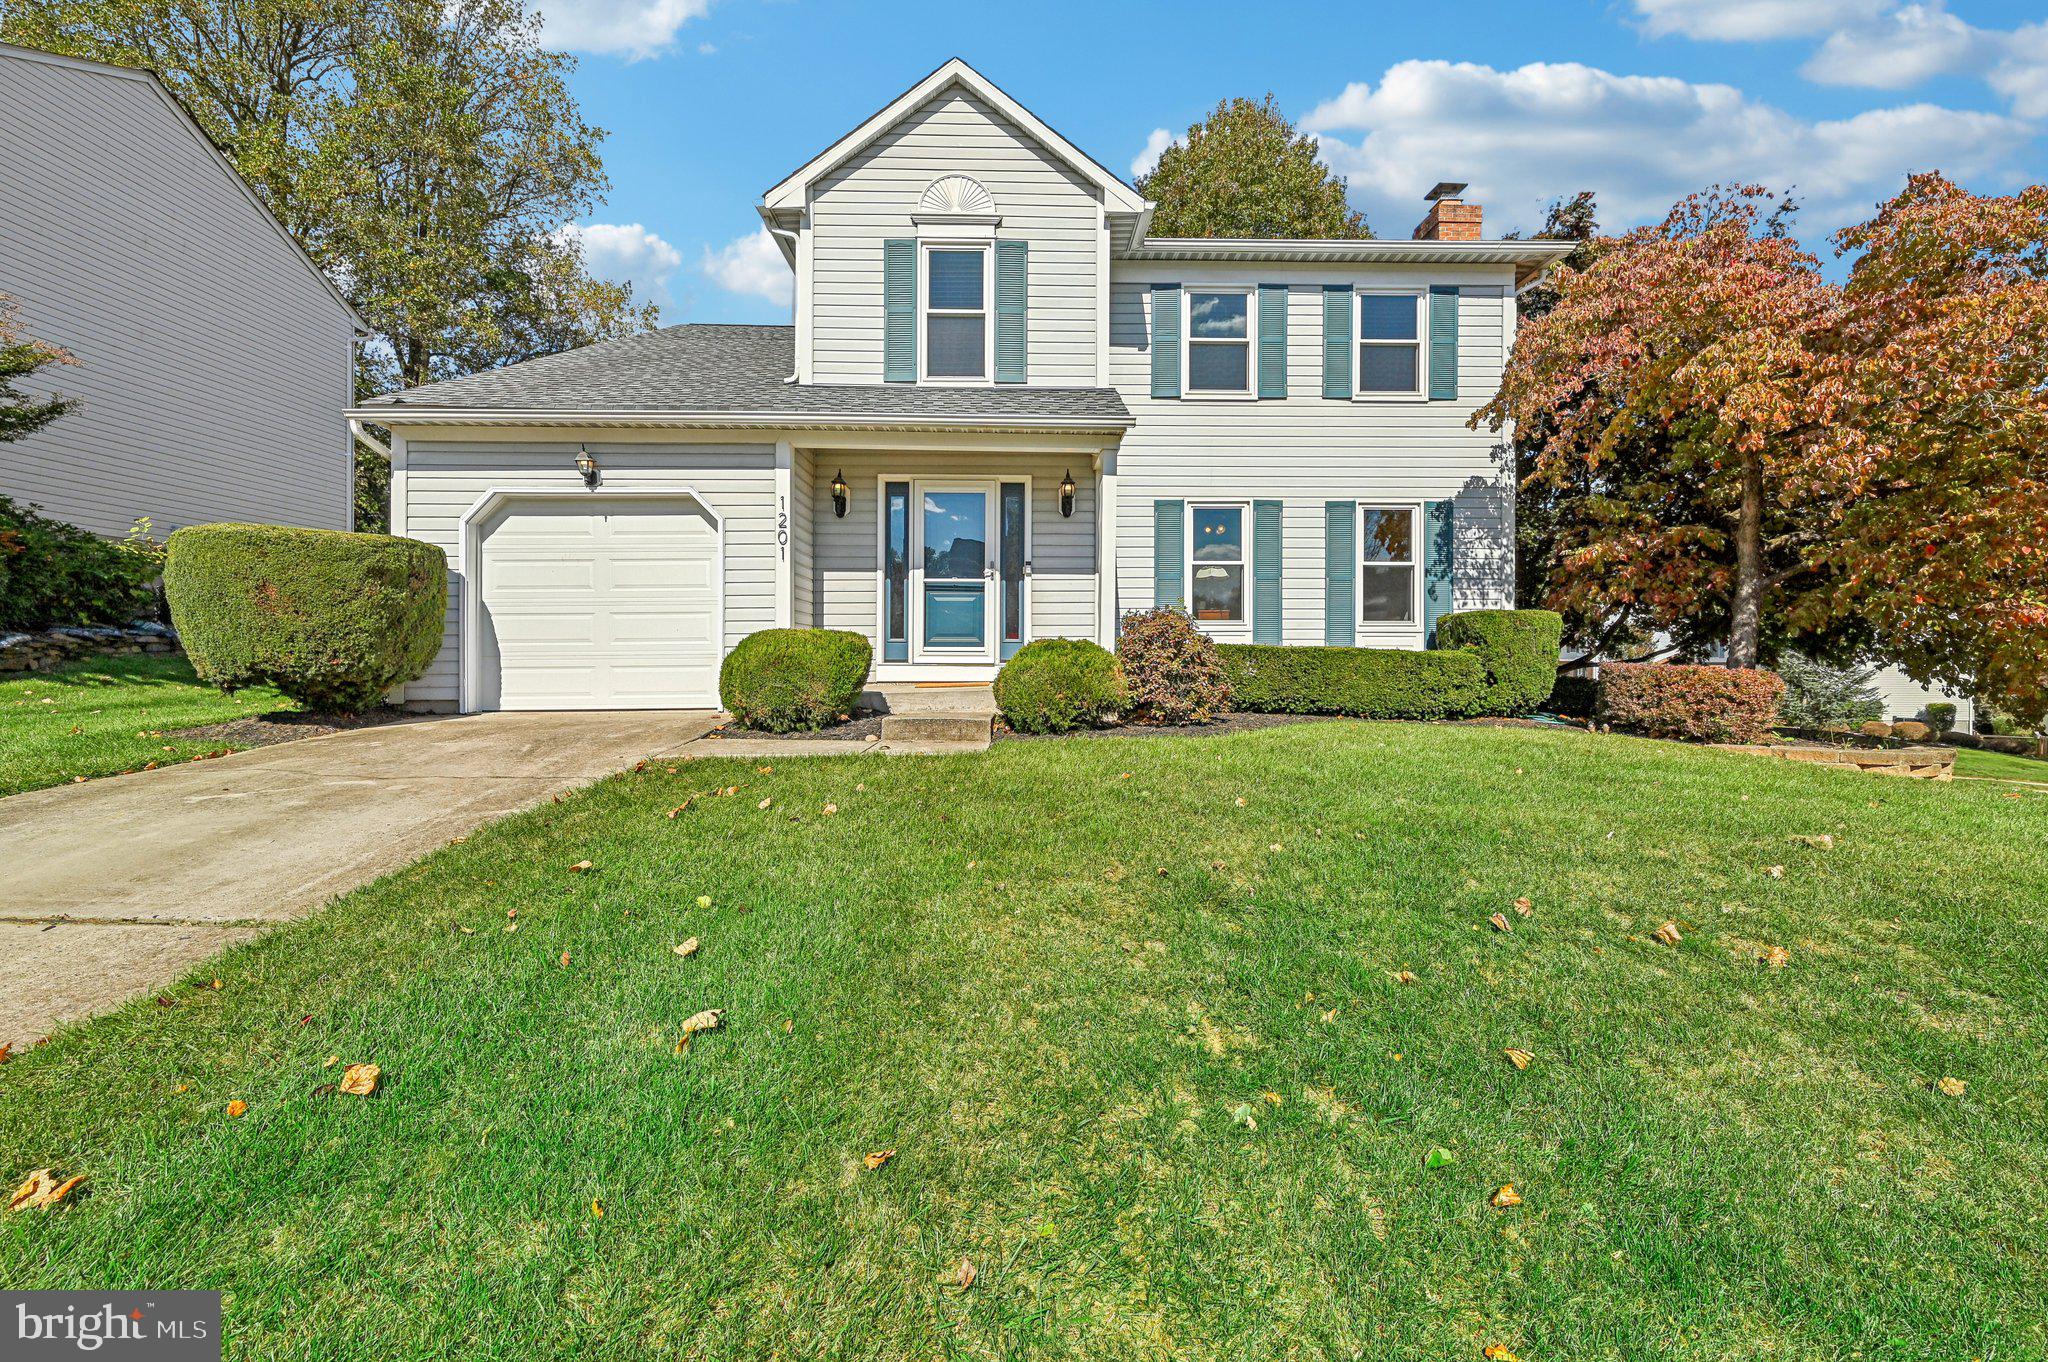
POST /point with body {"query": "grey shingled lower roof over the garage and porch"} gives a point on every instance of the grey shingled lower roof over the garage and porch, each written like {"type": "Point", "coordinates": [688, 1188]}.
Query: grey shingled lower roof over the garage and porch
{"type": "Point", "coordinates": [730, 376]}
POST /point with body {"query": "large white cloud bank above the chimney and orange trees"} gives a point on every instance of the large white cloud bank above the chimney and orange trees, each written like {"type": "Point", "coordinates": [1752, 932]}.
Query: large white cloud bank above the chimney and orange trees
{"type": "Point", "coordinates": [1639, 142]}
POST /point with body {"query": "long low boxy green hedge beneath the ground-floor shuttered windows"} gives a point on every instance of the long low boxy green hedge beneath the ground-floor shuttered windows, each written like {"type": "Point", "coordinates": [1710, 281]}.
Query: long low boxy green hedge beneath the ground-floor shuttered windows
{"type": "Point", "coordinates": [1367, 683]}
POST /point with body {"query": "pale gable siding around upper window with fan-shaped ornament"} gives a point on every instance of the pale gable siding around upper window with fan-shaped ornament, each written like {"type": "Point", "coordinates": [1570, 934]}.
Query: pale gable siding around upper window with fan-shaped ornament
{"type": "Point", "coordinates": [873, 198]}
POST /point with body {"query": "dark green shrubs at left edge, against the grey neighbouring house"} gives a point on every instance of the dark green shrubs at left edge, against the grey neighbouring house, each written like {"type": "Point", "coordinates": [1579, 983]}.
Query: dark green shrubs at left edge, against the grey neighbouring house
{"type": "Point", "coordinates": [54, 574]}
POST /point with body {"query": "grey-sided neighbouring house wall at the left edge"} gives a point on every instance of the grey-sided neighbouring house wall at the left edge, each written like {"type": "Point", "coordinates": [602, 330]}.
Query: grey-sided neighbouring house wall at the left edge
{"type": "Point", "coordinates": [214, 359]}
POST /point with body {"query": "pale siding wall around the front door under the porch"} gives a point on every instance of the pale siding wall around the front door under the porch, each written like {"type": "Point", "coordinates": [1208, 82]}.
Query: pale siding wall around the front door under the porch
{"type": "Point", "coordinates": [1064, 550]}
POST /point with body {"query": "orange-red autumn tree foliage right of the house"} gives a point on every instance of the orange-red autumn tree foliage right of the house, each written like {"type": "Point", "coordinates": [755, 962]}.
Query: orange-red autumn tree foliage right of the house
{"type": "Point", "coordinates": [1754, 454]}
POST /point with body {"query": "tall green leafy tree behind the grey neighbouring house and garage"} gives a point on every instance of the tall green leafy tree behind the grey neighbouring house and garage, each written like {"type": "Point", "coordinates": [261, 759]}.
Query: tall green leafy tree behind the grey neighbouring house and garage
{"type": "Point", "coordinates": [427, 153]}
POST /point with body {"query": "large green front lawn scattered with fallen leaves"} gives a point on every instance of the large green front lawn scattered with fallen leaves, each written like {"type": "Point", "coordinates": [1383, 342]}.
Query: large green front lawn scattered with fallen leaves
{"type": "Point", "coordinates": [1054, 980]}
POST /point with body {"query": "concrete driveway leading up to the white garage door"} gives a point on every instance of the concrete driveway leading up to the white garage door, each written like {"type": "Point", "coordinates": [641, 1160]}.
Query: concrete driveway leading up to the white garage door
{"type": "Point", "coordinates": [116, 888]}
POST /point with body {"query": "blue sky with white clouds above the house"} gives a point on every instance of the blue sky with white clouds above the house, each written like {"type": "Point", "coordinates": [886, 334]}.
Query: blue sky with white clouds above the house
{"type": "Point", "coordinates": [712, 101]}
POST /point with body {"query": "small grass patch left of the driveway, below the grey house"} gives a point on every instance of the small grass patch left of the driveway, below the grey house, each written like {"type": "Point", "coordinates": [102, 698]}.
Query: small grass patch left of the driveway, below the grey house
{"type": "Point", "coordinates": [110, 716]}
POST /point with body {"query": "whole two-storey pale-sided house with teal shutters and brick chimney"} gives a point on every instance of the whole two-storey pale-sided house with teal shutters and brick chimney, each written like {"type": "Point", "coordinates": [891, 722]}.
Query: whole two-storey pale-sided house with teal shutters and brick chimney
{"type": "Point", "coordinates": [1005, 413]}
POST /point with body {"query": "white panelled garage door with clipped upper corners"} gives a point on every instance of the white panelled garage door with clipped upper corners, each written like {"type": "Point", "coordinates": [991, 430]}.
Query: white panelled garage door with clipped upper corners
{"type": "Point", "coordinates": [599, 603]}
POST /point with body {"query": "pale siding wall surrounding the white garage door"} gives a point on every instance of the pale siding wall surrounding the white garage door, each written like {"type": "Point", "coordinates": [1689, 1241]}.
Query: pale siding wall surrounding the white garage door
{"type": "Point", "coordinates": [447, 476]}
